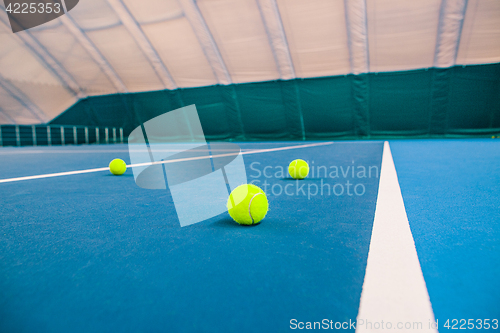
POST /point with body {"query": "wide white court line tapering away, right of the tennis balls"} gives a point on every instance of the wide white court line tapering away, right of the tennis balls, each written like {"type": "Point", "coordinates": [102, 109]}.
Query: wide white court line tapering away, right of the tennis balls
{"type": "Point", "coordinates": [394, 288]}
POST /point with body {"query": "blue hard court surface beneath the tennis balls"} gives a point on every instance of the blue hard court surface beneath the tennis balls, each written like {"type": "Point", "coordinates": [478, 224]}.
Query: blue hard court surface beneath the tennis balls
{"type": "Point", "coordinates": [95, 253]}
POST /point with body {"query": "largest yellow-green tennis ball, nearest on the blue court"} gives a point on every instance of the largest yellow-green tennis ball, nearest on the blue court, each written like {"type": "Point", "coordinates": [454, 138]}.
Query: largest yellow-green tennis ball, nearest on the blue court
{"type": "Point", "coordinates": [247, 204]}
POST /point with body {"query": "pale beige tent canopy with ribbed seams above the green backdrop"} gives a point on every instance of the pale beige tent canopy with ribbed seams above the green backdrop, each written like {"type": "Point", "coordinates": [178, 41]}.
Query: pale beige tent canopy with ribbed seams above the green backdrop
{"type": "Point", "coordinates": [118, 46]}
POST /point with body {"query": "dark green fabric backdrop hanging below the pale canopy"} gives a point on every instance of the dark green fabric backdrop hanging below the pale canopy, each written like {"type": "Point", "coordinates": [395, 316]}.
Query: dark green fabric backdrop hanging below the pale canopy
{"type": "Point", "coordinates": [458, 101]}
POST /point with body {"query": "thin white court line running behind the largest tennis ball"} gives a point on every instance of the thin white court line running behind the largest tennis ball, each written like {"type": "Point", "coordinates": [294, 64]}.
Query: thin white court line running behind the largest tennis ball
{"type": "Point", "coordinates": [79, 172]}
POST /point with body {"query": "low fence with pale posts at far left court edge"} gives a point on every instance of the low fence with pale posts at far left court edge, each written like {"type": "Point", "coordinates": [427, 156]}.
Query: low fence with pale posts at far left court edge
{"type": "Point", "coordinates": [53, 135]}
